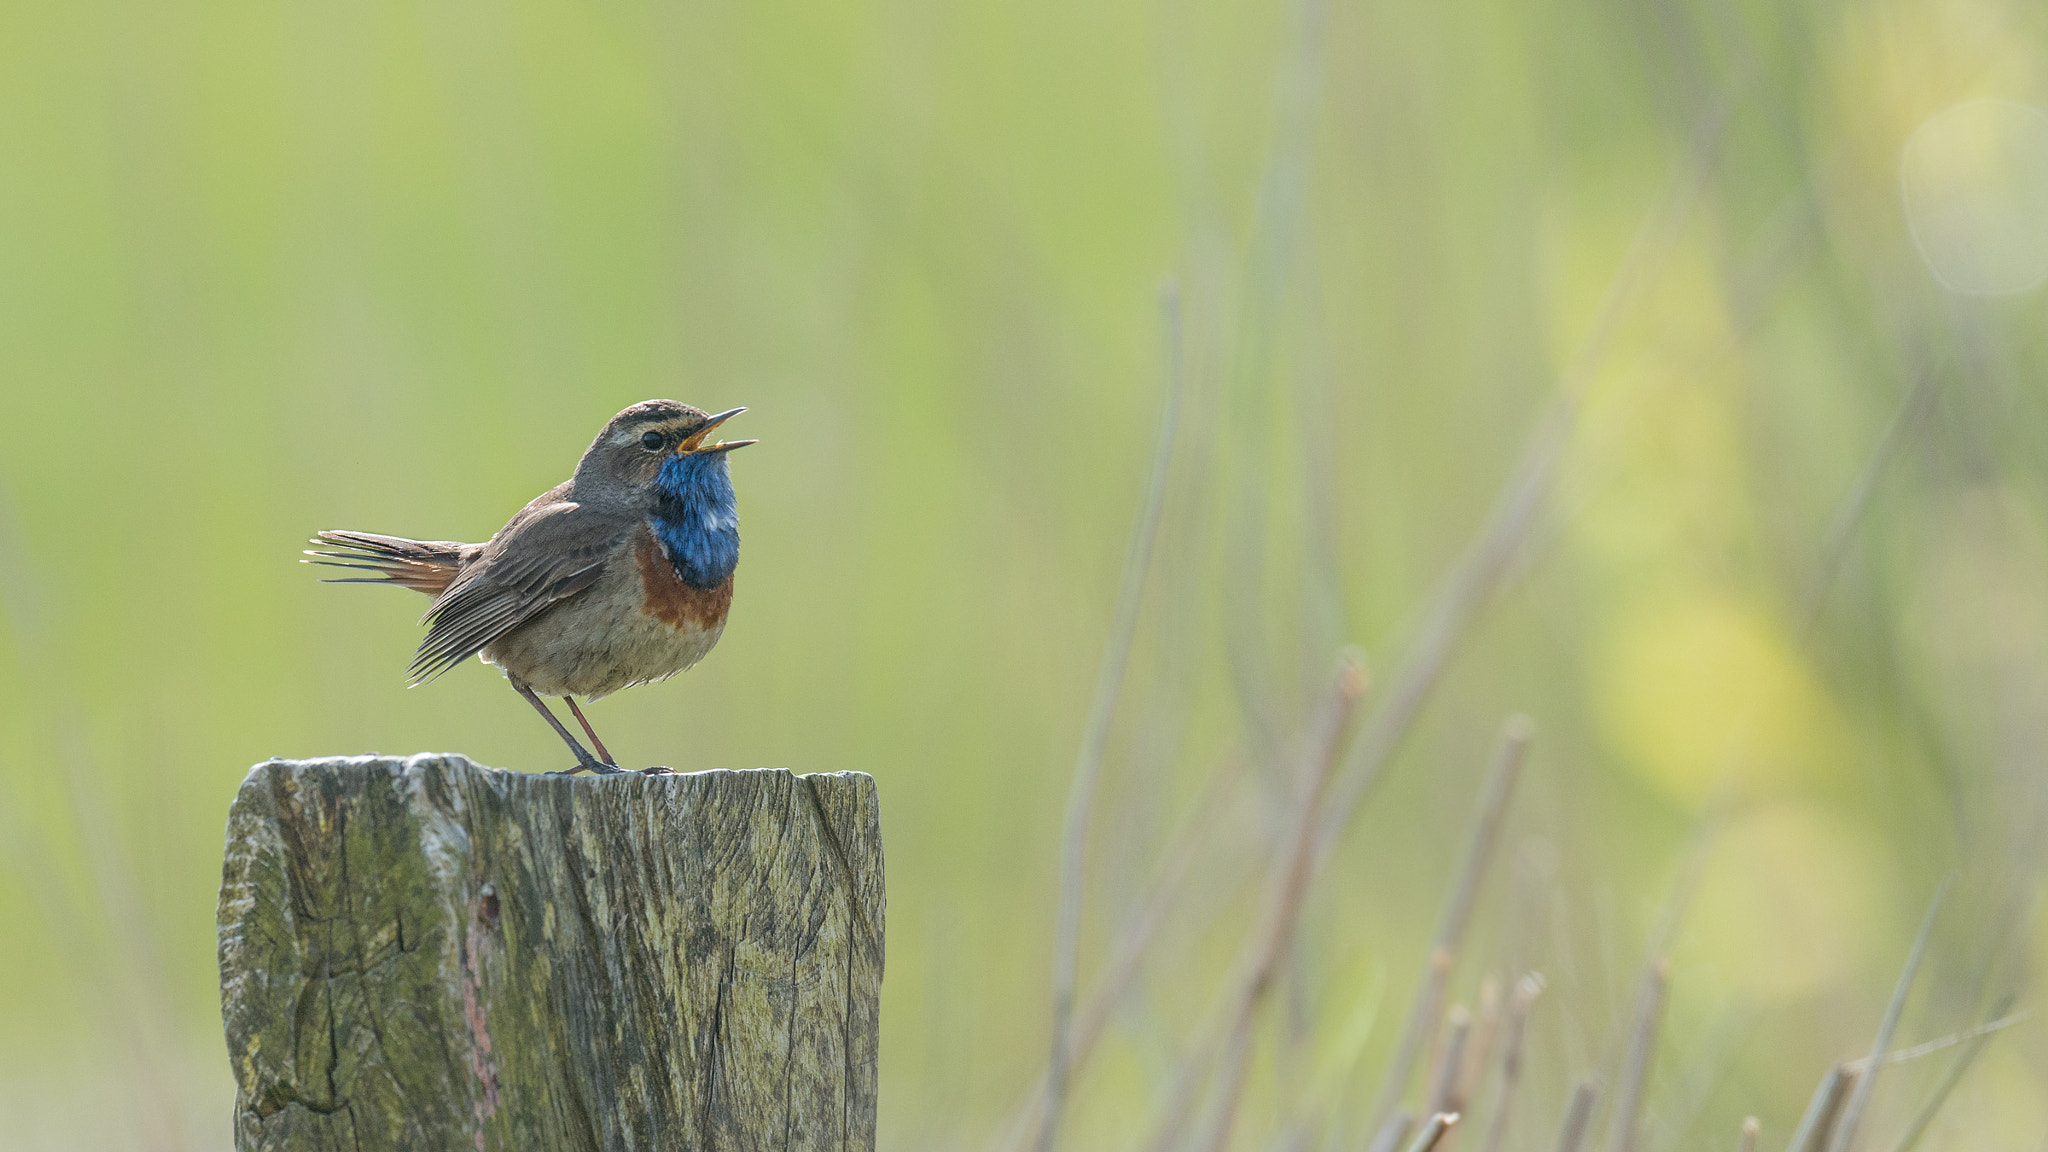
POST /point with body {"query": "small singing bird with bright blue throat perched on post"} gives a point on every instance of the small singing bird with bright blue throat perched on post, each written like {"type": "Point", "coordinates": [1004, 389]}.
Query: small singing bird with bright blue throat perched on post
{"type": "Point", "coordinates": [617, 577]}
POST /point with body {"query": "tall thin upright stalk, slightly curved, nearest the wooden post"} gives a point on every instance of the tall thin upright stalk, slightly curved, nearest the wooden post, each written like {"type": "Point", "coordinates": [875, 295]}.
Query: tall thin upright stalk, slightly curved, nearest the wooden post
{"type": "Point", "coordinates": [1089, 764]}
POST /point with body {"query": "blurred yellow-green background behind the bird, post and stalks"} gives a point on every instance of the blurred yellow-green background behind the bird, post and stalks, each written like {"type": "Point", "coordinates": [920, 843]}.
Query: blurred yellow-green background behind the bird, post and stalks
{"type": "Point", "coordinates": [271, 270]}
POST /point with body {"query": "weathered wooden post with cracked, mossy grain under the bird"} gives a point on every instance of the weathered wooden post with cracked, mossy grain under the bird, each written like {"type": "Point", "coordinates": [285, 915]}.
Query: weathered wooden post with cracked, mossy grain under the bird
{"type": "Point", "coordinates": [435, 956]}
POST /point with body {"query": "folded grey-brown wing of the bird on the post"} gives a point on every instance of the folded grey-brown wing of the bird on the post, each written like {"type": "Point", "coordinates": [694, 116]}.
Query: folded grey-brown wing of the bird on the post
{"type": "Point", "coordinates": [552, 550]}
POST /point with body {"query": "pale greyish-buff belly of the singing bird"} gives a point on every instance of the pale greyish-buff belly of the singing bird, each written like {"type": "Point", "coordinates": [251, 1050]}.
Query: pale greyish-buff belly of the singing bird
{"type": "Point", "coordinates": [599, 643]}
